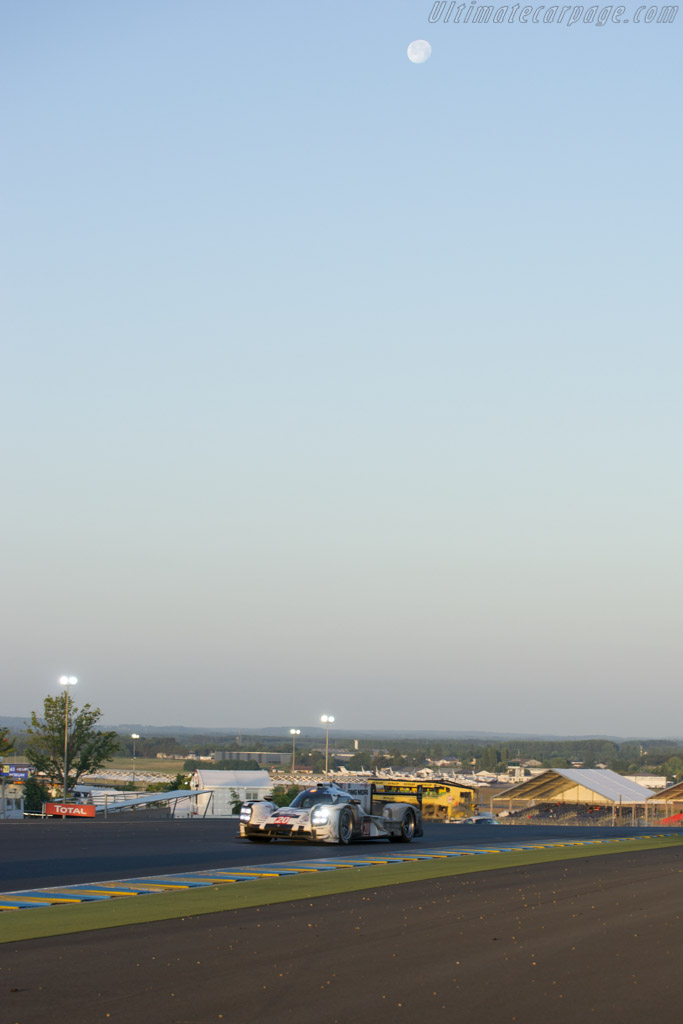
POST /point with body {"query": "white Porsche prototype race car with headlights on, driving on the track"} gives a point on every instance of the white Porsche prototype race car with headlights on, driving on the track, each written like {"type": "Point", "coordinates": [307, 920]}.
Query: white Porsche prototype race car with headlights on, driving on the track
{"type": "Point", "coordinates": [330, 814]}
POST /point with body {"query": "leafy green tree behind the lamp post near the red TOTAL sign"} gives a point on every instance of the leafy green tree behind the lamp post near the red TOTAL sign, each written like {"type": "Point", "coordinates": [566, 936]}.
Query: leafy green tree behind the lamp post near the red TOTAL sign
{"type": "Point", "coordinates": [88, 750]}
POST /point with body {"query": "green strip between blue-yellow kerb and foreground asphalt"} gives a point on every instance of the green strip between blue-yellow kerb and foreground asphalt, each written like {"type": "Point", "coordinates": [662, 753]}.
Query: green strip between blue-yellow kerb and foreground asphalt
{"type": "Point", "coordinates": [20, 925]}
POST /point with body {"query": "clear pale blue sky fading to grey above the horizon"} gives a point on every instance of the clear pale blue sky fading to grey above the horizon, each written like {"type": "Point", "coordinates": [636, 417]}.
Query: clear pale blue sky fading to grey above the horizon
{"type": "Point", "coordinates": [336, 383]}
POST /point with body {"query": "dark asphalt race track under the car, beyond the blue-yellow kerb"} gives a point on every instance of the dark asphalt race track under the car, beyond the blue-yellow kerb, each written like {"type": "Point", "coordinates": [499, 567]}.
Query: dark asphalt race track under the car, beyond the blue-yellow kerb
{"type": "Point", "coordinates": [62, 852]}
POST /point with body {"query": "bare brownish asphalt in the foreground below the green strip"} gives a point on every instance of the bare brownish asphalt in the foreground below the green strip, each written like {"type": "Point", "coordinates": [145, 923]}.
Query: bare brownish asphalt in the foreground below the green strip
{"type": "Point", "coordinates": [594, 940]}
